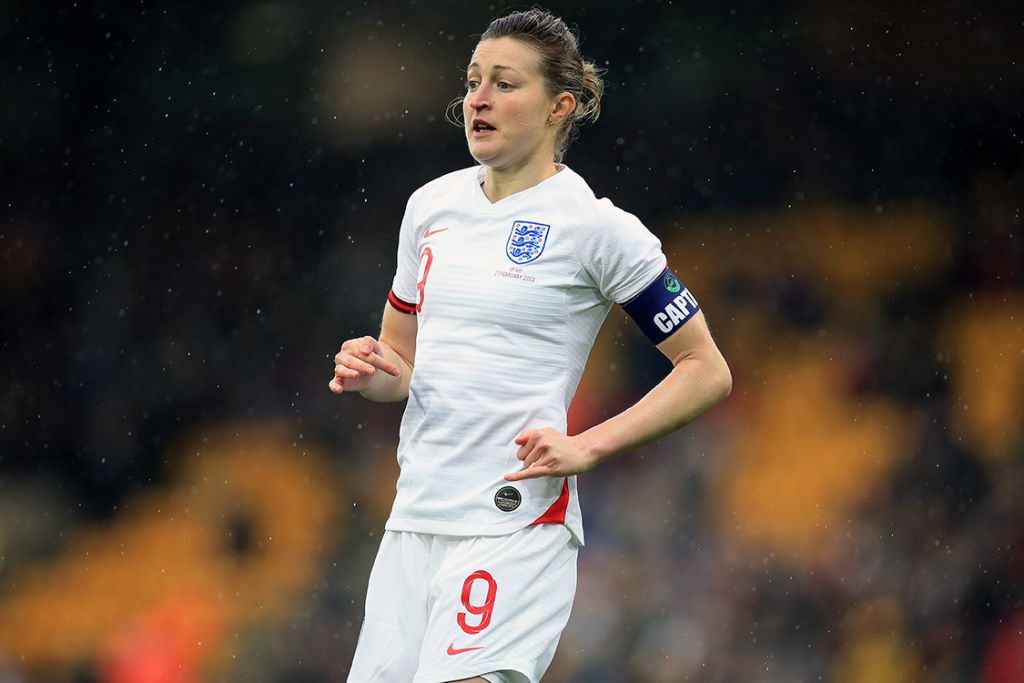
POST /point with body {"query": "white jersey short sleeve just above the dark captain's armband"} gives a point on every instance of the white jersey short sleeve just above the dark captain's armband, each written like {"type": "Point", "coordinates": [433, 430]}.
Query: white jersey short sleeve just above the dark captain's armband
{"type": "Point", "coordinates": [622, 257]}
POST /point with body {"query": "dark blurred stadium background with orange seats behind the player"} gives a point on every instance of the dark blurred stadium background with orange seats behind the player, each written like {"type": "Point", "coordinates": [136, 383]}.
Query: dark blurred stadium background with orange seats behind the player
{"type": "Point", "coordinates": [199, 202]}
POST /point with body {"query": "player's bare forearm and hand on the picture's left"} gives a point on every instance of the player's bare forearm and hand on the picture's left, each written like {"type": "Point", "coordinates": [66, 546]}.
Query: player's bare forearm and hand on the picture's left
{"type": "Point", "coordinates": [357, 364]}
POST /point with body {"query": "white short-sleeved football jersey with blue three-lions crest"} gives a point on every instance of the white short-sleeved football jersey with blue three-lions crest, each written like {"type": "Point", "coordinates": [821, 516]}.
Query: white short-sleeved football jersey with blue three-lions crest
{"type": "Point", "coordinates": [509, 297]}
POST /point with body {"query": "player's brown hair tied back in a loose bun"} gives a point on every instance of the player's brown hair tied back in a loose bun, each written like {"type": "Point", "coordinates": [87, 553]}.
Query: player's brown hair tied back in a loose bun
{"type": "Point", "coordinates": [564, 69]}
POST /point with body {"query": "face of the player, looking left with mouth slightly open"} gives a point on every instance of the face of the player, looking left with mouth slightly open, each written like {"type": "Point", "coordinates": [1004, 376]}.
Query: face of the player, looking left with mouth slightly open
{"type": "Point", "coordinates": [507, 106]}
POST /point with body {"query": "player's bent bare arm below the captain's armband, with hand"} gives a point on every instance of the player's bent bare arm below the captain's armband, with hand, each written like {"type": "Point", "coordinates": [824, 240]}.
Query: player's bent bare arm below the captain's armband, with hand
{"type": "Point", "coordinates": [699, 380]}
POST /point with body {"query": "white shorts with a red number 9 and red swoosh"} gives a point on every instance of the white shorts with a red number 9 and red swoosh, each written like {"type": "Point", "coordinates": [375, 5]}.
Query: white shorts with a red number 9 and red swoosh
{"type": "Point", "coordinates": [445, 609]}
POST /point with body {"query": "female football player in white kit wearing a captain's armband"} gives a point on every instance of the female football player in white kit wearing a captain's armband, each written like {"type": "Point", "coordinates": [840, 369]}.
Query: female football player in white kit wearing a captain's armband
{"type": "Point", "coordinates": [506, 272]}
